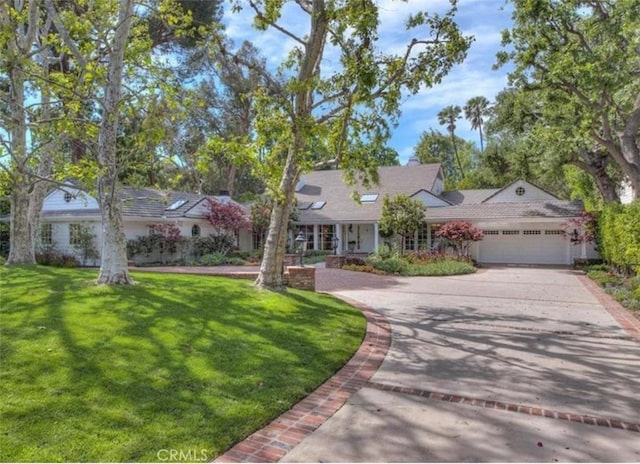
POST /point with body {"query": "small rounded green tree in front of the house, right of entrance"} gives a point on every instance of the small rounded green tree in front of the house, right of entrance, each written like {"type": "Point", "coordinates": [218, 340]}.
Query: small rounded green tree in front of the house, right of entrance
{"type": "Point", "coordinates": [401, 215]}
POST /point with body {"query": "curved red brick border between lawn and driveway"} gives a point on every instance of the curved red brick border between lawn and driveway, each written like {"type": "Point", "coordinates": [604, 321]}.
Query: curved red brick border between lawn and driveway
{"type": "Point", "coordinates": [275, 440]}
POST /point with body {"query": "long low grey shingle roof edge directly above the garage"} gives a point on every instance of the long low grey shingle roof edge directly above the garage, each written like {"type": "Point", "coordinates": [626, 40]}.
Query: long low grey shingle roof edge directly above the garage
{"type": "Point", "coordinates": [514, 210]}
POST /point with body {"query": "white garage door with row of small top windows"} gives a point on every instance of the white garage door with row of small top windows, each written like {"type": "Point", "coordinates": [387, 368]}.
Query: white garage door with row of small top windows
{"type": "Point", "coordinates": [543, 246]}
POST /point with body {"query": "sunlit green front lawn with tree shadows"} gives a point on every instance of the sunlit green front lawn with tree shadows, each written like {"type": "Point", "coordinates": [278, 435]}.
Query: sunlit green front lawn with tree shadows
{"type": "Point", "coordinates": [186, 363]}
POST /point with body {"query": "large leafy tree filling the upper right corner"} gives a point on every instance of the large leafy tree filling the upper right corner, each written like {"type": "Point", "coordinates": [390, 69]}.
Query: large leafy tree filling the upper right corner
{"type": "Point", "coordinates": [581, 57]}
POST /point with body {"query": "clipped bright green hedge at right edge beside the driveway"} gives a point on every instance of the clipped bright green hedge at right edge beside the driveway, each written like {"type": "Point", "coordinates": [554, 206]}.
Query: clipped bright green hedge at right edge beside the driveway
{"type": "Point", "coordinates": [619, 235]}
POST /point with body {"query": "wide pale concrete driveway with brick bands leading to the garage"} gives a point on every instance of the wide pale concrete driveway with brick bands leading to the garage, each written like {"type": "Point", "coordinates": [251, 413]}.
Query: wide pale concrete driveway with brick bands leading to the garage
{"type": "Point", "coordinates": [502, 365]}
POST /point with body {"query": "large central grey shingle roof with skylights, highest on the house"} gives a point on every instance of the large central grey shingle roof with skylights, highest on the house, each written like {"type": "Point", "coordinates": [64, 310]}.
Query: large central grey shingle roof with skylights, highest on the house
{"type": "Point", "coordinates": [329, 187]}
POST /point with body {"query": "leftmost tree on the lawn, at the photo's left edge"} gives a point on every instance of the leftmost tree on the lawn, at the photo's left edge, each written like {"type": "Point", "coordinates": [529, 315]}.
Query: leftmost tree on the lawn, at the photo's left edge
{"type": "Point", "coordinates": [26, 142]}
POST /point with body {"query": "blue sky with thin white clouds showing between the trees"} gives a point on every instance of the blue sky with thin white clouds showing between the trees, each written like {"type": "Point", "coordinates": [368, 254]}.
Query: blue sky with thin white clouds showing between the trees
{"type": "Point", "coordinates": [483, 19]}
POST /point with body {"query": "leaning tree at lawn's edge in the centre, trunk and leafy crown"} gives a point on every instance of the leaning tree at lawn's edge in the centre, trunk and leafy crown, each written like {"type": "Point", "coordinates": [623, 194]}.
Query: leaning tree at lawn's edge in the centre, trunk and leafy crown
{"type": "Point", "coordinates": [347, 106]}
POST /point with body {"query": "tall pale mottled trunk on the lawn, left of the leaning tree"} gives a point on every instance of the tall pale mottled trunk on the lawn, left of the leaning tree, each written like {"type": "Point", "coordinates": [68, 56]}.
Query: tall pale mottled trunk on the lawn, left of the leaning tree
{"type": "Point", "coordinates": [113, 263]}
